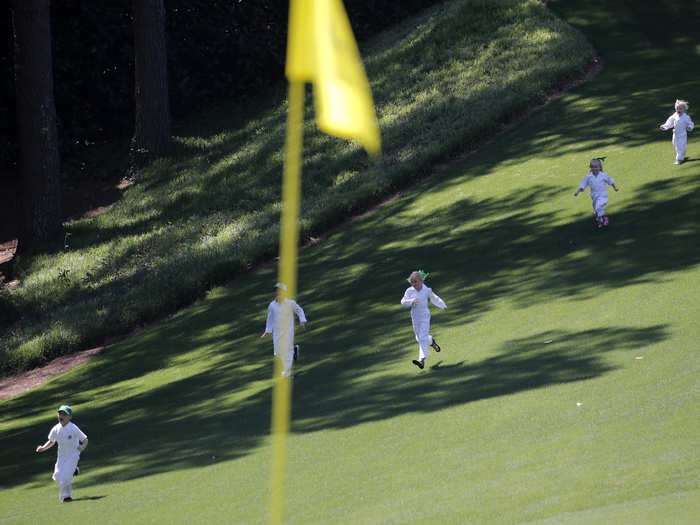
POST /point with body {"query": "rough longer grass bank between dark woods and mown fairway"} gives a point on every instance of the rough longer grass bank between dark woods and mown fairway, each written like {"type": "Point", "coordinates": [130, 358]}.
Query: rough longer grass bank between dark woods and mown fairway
{"type": "Point", "coordinates": [210, 212]}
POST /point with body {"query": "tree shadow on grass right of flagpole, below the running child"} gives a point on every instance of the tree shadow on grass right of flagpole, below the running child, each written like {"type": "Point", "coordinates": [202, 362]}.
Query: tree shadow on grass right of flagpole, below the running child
{"type": "Point", "coordinates": [545, 359]}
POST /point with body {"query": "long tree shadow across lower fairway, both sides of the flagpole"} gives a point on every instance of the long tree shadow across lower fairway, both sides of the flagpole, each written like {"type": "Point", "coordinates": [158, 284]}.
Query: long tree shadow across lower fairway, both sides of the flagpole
{"type": "Point", "coordinates": [209, 417]}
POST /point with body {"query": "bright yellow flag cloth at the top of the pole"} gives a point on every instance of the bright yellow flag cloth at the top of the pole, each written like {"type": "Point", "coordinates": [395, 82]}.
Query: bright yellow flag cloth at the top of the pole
{"type": "Point", "coordinates": [321, 49]}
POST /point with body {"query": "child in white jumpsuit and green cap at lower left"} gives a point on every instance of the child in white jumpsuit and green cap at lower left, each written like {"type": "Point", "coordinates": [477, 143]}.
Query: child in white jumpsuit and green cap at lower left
{"type": "Point", "coordinates": [71, 442]}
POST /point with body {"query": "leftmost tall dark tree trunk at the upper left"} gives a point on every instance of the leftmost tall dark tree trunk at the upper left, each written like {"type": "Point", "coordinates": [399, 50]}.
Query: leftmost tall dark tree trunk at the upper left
{"type": "Point", "coordinates": [39, 161]}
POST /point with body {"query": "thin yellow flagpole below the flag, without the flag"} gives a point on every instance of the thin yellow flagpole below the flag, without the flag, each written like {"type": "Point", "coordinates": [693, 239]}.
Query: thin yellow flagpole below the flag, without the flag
{"type": "Point", "coordinates": [289, 242]}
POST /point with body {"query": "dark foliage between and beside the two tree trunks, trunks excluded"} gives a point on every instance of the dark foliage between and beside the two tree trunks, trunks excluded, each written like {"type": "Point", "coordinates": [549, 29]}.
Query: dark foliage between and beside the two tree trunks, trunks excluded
{"type": "Point", "coordinates": [216, 48]}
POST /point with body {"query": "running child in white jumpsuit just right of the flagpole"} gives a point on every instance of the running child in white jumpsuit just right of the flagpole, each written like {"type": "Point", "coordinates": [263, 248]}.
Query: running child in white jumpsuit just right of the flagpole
{"type": "Point", "coordinates": [416, 298]}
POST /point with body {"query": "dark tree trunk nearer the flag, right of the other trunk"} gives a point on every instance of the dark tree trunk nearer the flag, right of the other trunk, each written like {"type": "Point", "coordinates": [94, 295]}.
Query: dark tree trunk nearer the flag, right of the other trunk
{"type": "Point", "coordinates": [152, 128]}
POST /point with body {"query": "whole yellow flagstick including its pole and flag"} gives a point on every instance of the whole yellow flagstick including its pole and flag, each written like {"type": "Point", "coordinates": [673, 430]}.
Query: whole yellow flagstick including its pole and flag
{"type": "Point", "coordinates": [320, 49]}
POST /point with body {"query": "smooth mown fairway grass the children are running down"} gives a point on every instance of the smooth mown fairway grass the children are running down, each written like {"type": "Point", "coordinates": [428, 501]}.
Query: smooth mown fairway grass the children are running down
{"type": "Point", "coordinates": [566, 391]}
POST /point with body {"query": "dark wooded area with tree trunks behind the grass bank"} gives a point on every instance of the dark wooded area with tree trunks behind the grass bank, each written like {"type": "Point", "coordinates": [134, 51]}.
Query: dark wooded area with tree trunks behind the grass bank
{"type": "Point", "coordinates": [119, 69]}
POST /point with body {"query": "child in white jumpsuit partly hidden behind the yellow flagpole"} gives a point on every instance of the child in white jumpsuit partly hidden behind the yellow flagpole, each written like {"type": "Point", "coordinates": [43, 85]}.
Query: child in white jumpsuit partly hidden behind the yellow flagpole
{"type": "Point", "coordinates": [290, 352]}
